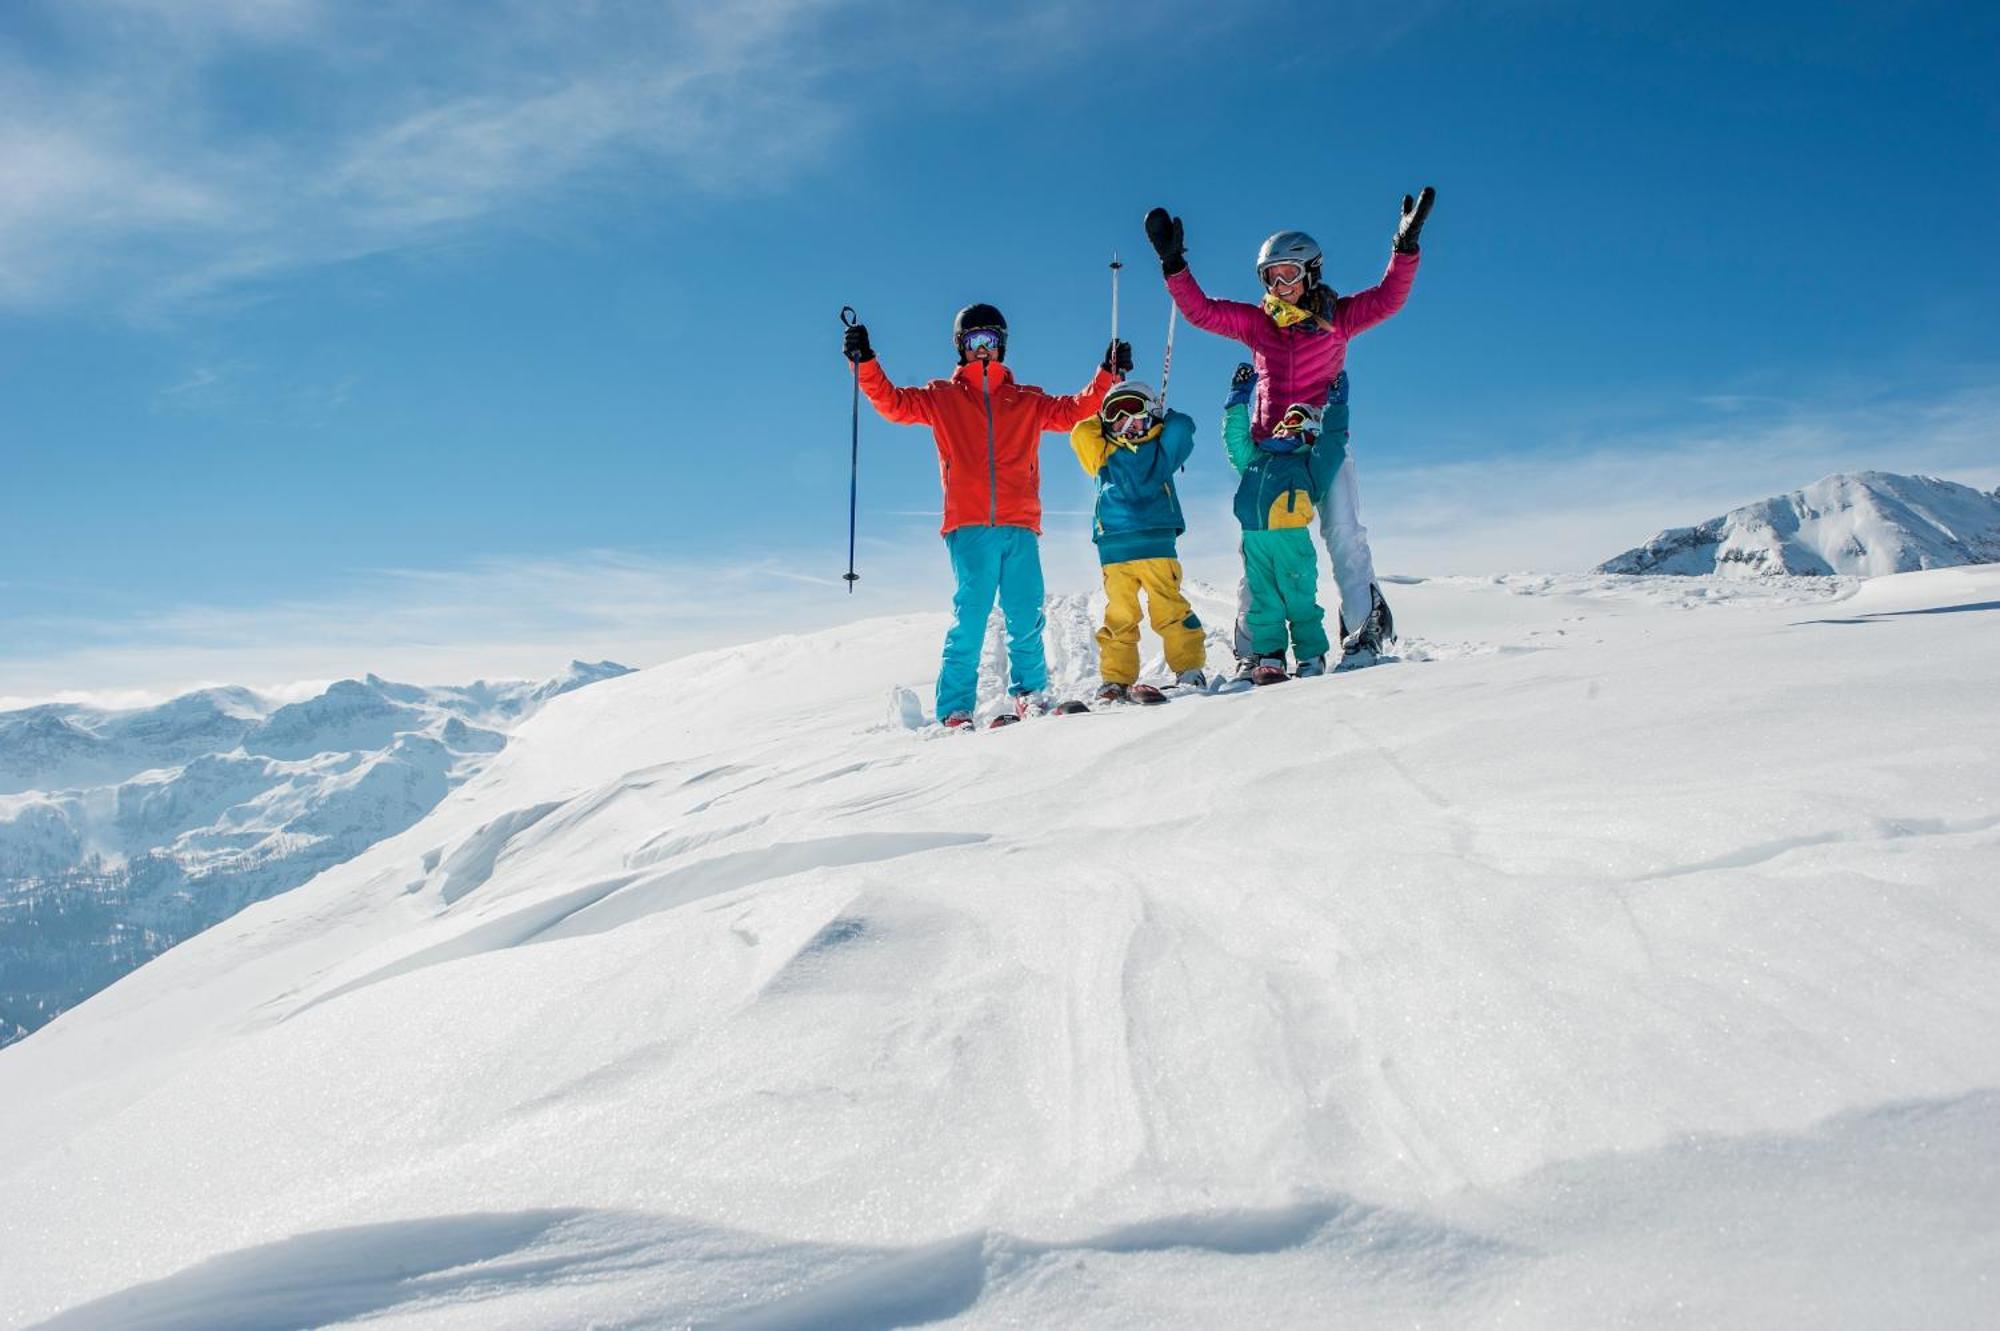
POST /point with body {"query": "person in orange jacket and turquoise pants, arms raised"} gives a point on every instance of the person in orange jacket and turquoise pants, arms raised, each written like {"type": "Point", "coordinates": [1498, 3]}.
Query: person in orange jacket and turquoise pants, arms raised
{"type": "Point", "coordinates": [989, 431]}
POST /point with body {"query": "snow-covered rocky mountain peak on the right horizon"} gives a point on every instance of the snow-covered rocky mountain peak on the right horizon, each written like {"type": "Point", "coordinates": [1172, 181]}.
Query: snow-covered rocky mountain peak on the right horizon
{"type": "Point", "coordinates": [1865, 527]}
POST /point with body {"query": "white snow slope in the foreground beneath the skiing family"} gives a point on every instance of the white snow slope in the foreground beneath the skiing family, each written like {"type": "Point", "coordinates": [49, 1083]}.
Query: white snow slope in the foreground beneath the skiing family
{"type": "Point", "coordinates": [1629, 958]}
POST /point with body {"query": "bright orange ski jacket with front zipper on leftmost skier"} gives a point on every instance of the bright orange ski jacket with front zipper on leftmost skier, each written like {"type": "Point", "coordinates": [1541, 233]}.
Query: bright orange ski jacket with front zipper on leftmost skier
{"type": "Point", "coordinates": [989, 433]}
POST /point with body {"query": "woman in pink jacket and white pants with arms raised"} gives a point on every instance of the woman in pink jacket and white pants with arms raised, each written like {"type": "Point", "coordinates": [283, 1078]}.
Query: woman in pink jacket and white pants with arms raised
{"type": "Point", "coordinates": [1299, 339]}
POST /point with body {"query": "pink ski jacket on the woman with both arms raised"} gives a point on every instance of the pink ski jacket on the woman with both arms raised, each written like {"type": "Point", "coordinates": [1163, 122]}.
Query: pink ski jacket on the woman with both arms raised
{"type": "Point", "coordinates": [1299, 363]}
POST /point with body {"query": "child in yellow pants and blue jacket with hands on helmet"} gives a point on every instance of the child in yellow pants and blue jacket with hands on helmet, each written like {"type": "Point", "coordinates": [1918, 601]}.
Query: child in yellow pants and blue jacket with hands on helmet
{"type": "Point", "coordinates": [1133, 449]}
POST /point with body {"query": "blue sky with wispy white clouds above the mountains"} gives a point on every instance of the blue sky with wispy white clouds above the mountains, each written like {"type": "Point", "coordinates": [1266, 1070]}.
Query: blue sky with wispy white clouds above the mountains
{"type": "Point", "coordinates": [465, 339]}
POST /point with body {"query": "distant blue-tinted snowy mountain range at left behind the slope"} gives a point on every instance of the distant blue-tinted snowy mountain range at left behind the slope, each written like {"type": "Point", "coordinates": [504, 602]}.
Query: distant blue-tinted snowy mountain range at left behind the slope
{"type": "Point", "coordinates": [125, 832]}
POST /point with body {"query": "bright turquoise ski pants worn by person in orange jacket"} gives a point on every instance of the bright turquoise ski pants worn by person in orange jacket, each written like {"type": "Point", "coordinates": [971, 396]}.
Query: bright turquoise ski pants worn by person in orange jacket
{"type": "Point", "coordinates": [991, 563]}
